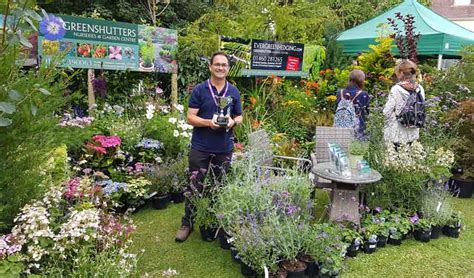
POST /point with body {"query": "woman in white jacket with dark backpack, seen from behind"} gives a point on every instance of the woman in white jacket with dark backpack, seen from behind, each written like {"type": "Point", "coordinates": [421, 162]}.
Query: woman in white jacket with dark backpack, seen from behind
{"type": "Point", "coordinates": [404, 110]}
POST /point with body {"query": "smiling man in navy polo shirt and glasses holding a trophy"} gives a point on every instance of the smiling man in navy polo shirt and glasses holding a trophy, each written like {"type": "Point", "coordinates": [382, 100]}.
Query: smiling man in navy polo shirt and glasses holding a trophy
{"type": "Point", "coordinates": [211, 144]}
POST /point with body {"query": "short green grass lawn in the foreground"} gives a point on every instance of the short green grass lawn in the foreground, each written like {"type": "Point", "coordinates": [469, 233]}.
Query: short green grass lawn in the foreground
{"type": "Point", "coordinates": [444, 257]}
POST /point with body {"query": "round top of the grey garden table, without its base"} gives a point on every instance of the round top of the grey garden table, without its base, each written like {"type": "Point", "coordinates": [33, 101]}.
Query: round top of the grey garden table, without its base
{"type": "Point", "coordinates": [327, 171]}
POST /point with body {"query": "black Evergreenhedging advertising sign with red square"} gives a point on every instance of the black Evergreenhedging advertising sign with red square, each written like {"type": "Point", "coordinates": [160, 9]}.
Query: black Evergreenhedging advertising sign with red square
{"type": "Point", "coordinates": [281, 56]}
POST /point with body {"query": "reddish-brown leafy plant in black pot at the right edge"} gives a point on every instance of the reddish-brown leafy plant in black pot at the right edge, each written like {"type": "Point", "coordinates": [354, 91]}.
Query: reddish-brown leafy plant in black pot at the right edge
{"type": "Point", "coordinates": [463, 183]}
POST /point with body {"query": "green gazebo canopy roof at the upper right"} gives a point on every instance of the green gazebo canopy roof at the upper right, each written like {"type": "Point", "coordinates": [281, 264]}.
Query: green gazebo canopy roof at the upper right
{"type": "Point", "coordinates": [439, 36]}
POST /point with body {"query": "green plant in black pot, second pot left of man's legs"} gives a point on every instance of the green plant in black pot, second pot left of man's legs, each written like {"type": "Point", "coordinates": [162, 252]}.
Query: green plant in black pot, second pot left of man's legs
{"type": "Point", "coordinates": [159, 188]}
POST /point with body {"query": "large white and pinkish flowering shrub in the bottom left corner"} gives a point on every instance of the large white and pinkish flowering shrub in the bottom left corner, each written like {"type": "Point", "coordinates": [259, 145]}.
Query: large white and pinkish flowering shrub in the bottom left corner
{"type": "Point", "coordinates": [71, 227]}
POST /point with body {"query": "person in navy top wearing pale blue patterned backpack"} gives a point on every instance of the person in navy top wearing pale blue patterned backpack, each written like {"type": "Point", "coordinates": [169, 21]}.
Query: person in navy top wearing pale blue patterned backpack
{"type": "Point", "coordinates": [352, 105]}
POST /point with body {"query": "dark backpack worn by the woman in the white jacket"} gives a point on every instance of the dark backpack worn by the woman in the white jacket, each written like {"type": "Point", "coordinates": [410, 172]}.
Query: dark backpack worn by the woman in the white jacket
{"type": "Point", "coordinates": [413, 112]}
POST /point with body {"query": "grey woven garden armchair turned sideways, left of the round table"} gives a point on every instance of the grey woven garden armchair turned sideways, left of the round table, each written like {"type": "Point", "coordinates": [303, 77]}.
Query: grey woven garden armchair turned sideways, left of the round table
{"type": "Point", "coordinates": [262, 155]}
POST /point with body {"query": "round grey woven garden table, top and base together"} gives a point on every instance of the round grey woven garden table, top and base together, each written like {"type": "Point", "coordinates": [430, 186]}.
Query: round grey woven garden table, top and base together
{"type": "Point", "coordinates": [345, 197]}
